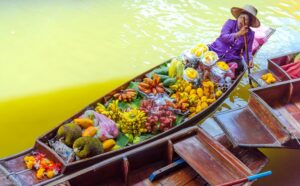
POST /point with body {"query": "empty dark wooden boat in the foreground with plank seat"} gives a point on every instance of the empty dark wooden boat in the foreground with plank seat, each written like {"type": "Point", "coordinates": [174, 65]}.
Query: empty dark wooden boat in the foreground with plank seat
{"type": "Point", "coordinates": [206, 162]}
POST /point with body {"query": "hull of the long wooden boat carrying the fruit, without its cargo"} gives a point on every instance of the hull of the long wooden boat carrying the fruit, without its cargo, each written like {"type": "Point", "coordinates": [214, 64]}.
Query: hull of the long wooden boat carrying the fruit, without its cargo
{"type": "Point", "coordinates": [14, 165]}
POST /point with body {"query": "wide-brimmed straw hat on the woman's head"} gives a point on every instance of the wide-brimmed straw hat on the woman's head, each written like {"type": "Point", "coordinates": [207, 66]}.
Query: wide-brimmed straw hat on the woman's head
{"type": "Point", "coordinates": [251, 10]}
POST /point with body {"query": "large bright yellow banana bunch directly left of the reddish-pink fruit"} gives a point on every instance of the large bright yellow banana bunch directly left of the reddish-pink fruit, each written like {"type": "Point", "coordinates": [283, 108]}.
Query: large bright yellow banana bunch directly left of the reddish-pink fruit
{"type": "Point", "coordinates": [133, 122]}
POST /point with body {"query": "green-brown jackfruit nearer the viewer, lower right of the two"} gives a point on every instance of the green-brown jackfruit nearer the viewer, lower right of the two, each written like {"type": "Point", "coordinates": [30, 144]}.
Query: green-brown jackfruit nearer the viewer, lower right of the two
{"type": "Point", "coordinates": [85, 147]}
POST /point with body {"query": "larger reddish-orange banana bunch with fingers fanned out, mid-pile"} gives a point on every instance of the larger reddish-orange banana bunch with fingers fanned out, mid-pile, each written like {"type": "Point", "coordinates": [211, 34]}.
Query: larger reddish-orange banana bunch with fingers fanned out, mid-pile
{"type": "Point", "coordinates": [151, 85]}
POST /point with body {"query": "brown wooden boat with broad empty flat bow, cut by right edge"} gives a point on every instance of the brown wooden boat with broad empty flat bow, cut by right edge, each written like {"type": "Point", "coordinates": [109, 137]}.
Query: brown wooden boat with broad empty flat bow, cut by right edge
{"type": "Point", "coordinates": [271, 119]}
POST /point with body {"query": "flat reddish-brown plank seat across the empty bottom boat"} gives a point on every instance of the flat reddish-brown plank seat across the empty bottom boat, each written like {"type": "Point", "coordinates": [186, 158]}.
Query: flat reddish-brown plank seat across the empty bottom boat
{"type": "Point", "coordinates": [213, 162]}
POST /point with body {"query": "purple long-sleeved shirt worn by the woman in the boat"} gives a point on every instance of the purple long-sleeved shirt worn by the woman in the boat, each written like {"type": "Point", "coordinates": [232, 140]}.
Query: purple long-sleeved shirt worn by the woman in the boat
{"type": "Point", "coordinates": [227, 47]}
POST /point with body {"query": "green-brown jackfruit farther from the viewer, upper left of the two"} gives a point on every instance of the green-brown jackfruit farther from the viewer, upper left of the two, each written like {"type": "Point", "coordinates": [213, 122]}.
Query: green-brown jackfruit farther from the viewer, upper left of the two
{"type": "Point", "coordinates": [68, 133]}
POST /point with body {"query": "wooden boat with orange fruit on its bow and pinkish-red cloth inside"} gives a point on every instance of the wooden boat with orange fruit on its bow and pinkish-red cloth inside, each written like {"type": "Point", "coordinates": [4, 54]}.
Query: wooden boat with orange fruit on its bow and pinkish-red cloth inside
{"type": "Point", "coordinates": [274, 67]}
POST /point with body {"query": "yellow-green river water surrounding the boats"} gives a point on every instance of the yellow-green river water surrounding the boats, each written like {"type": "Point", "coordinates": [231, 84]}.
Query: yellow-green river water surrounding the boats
{"type": "Point", "coordinates": [58, 56]}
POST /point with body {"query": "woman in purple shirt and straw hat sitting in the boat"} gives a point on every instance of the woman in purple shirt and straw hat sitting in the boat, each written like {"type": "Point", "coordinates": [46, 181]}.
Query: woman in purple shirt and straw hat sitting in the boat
{"type": "Point", "coordinates": [230, 45]}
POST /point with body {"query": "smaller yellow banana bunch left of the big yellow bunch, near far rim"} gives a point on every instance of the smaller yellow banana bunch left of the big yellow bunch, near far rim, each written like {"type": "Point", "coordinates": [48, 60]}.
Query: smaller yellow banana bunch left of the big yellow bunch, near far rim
{"type": "Point", "coordinates": [112, 111]}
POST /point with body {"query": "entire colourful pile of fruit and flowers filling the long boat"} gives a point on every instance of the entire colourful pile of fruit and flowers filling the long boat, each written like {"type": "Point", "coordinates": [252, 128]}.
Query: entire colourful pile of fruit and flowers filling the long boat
{"type": "Point", "coordinates": [149, 105]}
